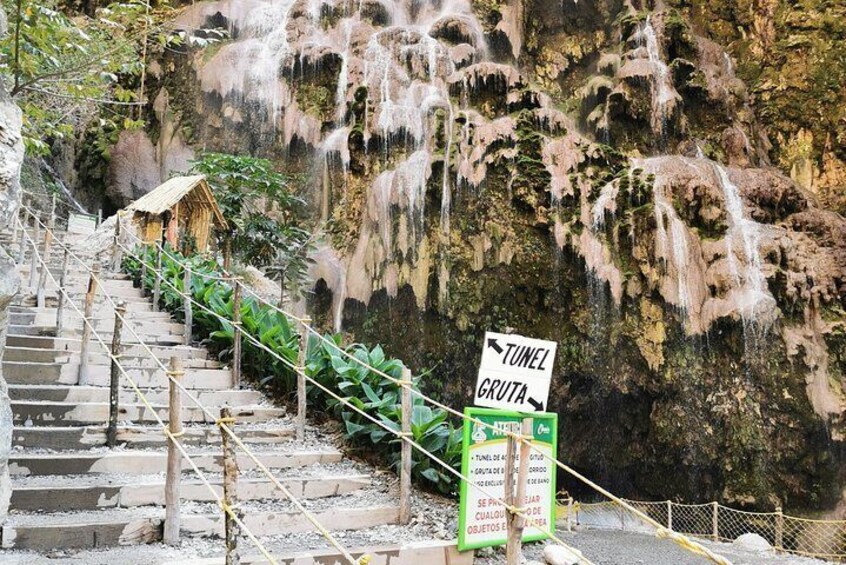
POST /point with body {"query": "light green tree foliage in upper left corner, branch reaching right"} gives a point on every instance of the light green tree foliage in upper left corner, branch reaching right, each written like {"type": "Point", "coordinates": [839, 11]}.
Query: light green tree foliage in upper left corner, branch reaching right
{"type": "Point", "coordinates": [69, 69]}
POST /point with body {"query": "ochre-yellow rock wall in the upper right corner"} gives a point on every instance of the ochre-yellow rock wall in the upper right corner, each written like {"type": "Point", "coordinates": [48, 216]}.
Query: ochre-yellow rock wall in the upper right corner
{"type": "Point", "coordinates": [792, 57]}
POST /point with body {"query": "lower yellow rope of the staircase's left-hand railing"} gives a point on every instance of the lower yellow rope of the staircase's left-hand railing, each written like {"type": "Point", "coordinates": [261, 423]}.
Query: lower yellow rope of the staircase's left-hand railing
{"type": "Point", "coordinates": [116, 359]}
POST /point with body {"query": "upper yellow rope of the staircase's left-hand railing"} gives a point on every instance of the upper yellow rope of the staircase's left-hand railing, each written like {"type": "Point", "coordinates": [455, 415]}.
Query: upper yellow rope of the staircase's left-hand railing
{"type": "Point", "coordinates": [222, 425]}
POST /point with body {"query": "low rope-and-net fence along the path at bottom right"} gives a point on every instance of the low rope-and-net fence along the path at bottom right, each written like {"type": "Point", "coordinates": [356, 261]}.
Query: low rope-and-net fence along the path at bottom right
{"type": "Point", "coordinates": [809, 537]}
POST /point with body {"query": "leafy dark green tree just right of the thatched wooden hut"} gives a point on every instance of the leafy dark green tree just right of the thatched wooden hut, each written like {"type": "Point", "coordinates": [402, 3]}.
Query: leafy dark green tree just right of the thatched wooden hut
{"type": "Point", "coordinates": [264, 216]}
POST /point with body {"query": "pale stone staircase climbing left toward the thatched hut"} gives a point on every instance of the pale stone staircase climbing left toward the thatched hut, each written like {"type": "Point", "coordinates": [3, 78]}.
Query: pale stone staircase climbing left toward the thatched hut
{"type": "Point", "coordinates": [70, 492]}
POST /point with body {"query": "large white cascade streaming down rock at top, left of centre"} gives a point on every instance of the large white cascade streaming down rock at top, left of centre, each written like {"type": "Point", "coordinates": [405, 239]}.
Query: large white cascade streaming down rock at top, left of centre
{"type": "Point", "coordinates": [404, 53]}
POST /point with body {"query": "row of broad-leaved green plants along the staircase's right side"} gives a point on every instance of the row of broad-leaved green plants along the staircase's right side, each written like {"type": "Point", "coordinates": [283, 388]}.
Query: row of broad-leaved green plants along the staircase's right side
{"type": "Point", "coordinates": [356, 384]}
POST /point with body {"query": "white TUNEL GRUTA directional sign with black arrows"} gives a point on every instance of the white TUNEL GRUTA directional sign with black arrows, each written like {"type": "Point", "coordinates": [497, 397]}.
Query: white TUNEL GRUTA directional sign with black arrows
{"type": "Point", "coordinates": [515, 373]}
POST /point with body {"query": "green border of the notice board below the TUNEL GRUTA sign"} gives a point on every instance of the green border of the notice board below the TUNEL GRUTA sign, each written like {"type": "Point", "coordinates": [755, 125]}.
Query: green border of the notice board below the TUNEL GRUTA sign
{"type": "Point", "coordinates": [476, 412]}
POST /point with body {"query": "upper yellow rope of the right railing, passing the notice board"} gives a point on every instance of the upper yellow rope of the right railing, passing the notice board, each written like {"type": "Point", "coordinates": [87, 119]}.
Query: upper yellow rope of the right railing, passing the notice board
{"type": "Point", "coordinates": [660, 530]}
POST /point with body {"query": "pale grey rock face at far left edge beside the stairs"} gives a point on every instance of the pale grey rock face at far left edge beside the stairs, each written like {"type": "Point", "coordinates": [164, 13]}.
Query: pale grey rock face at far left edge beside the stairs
{"type": "Point", "coordinates": [11, 157]}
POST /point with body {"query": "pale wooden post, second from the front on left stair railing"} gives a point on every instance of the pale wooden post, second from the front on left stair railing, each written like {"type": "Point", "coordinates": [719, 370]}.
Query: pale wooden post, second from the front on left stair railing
{"type": "Point", "coordinates": [174, 457]}
